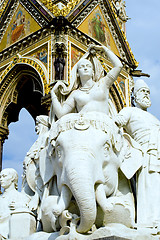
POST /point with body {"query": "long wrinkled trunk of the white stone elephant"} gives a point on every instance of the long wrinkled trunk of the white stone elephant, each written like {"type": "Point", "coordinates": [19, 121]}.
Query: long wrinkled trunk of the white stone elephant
{"type": "Point", "coordinates": [82, 186]}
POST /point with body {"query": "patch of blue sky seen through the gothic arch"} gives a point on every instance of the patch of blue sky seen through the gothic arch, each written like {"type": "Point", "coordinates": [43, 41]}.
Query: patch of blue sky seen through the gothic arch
{"type": "Point", "coordinates": [22, 136]}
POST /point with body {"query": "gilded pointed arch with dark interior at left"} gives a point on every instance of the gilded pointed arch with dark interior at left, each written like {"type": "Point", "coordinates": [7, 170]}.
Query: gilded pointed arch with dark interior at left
{"type": "Point", "coordinates": [23, 84]}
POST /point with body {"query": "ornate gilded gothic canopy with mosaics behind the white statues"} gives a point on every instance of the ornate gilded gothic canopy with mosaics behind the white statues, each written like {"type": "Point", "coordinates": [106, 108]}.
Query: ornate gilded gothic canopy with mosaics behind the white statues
{"type": "Point", "coordinates": [36, 34]}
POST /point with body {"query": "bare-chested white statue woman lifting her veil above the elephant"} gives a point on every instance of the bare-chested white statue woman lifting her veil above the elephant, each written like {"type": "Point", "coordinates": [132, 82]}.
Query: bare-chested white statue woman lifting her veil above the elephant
{"type": "Point", "coordinates": [92, 94]}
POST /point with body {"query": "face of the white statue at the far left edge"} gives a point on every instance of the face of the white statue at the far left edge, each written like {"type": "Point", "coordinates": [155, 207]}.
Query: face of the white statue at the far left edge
{"type": "Point", "coordinates": [6, 179]}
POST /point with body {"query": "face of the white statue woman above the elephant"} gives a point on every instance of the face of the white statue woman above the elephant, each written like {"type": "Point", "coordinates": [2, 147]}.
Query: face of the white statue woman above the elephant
{"type": "Point", "coordinates": [85, 69]}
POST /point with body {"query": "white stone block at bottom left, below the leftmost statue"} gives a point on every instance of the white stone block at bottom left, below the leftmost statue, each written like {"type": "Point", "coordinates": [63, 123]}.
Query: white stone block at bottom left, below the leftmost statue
{"type": "Point", "coordinates": [22, 224]}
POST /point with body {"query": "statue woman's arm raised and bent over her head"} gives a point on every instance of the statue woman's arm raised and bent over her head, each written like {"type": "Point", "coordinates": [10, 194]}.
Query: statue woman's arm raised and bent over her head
{"type": "Point", "coordinates": [117, 65]}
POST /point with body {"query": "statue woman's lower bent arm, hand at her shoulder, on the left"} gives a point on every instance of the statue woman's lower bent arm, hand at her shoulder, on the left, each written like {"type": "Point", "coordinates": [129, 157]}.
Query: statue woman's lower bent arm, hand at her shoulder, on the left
{"type": "Point", "coordinates": [61, 109]}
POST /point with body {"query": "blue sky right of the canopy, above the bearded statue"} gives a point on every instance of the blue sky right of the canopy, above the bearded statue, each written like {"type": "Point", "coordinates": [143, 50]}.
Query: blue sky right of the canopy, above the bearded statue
{"type": "Point", "coordinates": [143, 36]}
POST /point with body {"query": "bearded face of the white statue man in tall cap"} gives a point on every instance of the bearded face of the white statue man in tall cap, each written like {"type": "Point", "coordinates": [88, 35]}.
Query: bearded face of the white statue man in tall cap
{"type": "Point", "coordinates": [143, 98]}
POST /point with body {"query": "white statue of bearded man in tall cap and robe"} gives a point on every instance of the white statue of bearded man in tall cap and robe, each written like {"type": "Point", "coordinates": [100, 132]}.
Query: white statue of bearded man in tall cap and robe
{"type": "Point", "coordinates": [144, 128]}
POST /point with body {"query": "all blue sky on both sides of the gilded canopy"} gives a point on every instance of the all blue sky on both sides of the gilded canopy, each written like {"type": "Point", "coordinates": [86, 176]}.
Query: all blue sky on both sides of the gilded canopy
{"type": "Point", "coordinates": [143, 36]}
